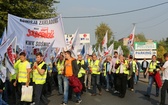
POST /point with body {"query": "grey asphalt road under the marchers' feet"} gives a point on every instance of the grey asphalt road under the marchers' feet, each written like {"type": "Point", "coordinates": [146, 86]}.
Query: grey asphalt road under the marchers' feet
{"type": "Point", "coordinates": [132, 98]}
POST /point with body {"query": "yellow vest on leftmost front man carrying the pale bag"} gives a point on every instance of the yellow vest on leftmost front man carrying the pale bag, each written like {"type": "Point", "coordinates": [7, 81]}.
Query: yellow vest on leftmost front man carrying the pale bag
{"type": "Point", "coordinates": [22, 72]}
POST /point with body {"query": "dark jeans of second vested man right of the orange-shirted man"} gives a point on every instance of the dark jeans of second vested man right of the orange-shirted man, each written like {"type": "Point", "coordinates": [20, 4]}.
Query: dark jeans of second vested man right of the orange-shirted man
{"type": "Point", "coordinates": [96, 82]}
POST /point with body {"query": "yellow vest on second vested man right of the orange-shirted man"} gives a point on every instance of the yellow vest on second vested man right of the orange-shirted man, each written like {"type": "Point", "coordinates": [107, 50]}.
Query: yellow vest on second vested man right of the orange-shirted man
{"type": "Point", "coordinates": [95, 67]}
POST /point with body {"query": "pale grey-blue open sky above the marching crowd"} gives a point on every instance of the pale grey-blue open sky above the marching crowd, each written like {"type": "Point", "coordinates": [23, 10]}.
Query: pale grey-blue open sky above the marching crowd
{"type": "Point", "coordinates": [153, 22]}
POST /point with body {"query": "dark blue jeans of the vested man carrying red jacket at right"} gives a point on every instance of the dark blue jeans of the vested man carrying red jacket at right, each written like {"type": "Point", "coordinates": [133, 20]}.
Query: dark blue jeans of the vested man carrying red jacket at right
{"type": "Point", "coordinates": [151, 80]}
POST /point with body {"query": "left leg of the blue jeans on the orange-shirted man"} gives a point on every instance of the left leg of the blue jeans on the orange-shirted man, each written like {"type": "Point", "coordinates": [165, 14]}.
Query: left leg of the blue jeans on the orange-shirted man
{"type": "Point", "coordinates": [66, 89]}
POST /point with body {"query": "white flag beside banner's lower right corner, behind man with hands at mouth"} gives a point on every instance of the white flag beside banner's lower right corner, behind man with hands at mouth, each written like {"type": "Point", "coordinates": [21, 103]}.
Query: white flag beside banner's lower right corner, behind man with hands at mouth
{"type": "Point", "coordinates": [47, 53]}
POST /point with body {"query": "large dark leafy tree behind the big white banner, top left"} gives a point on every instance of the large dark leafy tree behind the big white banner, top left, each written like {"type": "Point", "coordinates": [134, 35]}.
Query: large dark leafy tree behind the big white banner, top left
{"type": "Point", "coordinates": [33, 9]}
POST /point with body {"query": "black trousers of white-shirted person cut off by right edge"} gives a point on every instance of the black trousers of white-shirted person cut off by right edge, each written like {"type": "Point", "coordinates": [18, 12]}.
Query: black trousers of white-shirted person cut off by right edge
{"type": "Point", "coordinates": [163, 92]}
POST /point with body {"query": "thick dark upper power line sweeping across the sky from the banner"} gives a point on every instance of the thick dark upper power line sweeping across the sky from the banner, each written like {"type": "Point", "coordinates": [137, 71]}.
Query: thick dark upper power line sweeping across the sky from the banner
{"type": "Point", "coordinates": [117, 13]}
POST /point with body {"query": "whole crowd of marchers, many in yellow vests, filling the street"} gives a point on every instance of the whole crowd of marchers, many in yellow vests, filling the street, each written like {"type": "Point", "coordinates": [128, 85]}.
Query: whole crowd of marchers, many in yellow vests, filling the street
{"type": "Point", "coordinates": [78, 75]}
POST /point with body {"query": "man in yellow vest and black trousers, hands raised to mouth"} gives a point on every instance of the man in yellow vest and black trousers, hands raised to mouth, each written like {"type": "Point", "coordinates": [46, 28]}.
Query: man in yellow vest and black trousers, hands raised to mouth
{"type": "Point", "coordinates": [39, 78]}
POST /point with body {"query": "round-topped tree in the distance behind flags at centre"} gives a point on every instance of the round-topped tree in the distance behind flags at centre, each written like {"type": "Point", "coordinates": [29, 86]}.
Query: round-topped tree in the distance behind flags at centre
{"type": "Point", "coordinates": [100, 33]}
